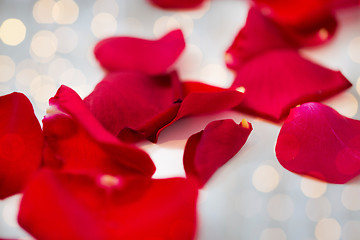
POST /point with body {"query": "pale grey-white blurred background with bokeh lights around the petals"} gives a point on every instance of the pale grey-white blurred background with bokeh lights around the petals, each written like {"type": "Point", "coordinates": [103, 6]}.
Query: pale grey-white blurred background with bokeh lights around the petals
{"type": "Point", "coordinates": [46, 43]}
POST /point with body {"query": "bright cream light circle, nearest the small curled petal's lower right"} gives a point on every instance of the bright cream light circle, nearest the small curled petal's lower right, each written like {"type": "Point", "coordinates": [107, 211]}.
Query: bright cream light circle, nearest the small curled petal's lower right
{"type": "Point", "coordinates": [265, 178]}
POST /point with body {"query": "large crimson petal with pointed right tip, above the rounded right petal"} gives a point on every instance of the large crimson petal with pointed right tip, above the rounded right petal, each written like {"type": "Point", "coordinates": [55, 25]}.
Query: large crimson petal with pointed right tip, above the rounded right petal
{"type": "Point", "coordinates": [279, 80]}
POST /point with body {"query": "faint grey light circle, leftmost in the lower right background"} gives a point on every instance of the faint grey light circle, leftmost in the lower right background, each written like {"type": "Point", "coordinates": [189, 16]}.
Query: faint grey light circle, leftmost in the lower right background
{"type": "Point", "coordinates": [248, 203]}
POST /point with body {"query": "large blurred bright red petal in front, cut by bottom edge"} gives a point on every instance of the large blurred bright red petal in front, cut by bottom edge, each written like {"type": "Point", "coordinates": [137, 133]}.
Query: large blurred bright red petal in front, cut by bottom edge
{"type": "Point", "coordinates": [81, 207]}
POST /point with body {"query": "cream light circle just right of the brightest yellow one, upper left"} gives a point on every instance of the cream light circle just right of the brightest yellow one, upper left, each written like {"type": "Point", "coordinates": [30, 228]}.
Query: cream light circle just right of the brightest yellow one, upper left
{"type": "Point", "coordinates": [44, 44]}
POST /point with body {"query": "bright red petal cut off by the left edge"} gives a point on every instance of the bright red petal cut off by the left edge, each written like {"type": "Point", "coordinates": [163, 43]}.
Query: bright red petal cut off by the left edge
{"type": "Point", "coordinates": [21, 143]}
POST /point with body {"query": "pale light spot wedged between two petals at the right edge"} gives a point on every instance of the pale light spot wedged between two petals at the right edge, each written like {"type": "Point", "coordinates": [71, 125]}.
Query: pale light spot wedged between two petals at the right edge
{"type": "Point", "coordinates": [345, 103]}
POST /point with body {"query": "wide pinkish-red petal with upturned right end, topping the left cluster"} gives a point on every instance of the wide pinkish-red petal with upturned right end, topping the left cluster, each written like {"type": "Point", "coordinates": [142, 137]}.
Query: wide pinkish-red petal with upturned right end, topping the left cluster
{"type": "Point", "coordinates": [148, 56]}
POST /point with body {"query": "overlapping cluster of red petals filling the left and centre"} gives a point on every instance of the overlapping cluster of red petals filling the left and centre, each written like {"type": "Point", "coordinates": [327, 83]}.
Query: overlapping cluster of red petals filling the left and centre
{"type": "Point", "coordinates": [82, 181]}
